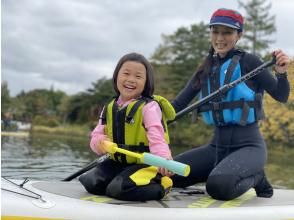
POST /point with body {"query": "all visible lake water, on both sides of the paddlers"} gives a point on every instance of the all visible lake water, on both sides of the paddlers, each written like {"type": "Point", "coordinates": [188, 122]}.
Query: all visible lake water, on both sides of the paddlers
{"type": "Point", "coordinates": [54, 158]}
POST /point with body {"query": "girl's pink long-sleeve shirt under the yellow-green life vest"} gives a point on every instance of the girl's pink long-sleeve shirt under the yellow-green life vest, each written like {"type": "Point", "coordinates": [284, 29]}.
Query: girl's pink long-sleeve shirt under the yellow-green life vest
{"type": "Point", "coordinates": [152, 116]}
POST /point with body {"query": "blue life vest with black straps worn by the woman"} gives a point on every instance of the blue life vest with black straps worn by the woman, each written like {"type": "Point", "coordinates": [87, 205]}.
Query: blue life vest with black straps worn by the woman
{"type": "Point", "coordinates": [240, 105]}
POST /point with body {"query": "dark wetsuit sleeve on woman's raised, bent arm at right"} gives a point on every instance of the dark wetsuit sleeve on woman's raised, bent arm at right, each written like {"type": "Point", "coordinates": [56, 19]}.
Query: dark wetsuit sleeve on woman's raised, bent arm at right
{"type": "Point", "coordinates": [277, 86]}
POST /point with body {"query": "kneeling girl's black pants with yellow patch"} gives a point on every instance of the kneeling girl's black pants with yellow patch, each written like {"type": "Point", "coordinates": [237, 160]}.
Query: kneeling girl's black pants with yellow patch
{"type": "Point", "coordinates": [113, 179]}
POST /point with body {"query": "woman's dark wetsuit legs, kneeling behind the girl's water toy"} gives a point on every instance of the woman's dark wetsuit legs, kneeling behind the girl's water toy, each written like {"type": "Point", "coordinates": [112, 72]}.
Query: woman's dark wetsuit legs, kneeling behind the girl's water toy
{"type": "Point", "coordinates": [230, 165]}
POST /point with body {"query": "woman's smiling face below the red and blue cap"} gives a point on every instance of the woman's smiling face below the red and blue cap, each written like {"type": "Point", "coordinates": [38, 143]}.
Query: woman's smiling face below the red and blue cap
{"type": "Point", "coordinates": [223, 39]}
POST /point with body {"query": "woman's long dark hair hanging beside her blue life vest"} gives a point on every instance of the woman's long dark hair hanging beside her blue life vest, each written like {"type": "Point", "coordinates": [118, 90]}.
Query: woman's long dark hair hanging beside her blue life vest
{"type": "Point", "coordinates": [203, 71]}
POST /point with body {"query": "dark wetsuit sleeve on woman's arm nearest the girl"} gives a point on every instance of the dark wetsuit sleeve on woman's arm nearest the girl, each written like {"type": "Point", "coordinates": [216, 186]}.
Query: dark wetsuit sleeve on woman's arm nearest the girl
{"type": "Point", "coordinates": [185, 96]}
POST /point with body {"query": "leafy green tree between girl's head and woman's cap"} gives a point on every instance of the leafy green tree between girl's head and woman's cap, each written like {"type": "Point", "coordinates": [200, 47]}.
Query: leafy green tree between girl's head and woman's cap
{"type": "Point", "coordinates": [178, 56]}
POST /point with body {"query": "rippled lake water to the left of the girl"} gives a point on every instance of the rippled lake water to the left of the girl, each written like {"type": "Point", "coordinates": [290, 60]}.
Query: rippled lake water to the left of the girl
{"type": "Point", "coordinates": [43, 157]}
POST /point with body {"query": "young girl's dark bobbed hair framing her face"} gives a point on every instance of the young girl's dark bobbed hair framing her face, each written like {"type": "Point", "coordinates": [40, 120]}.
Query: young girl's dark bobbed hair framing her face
{"type": "Point", "coordinates": [149, 85]}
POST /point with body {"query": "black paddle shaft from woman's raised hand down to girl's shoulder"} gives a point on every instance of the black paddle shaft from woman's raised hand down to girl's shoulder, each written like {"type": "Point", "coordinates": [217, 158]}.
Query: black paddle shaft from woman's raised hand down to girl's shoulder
{"type": "Point", "coordinates": [224, 89]}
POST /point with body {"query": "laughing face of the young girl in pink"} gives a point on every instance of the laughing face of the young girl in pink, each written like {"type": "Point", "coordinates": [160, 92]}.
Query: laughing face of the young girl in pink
{"type": "Point", "coordinates": [131, 80]}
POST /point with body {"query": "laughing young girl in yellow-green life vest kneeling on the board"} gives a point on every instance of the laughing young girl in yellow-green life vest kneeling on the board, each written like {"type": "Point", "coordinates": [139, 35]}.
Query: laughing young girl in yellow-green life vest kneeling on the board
{"type": "Point", "coordinates": [136, 121]}
